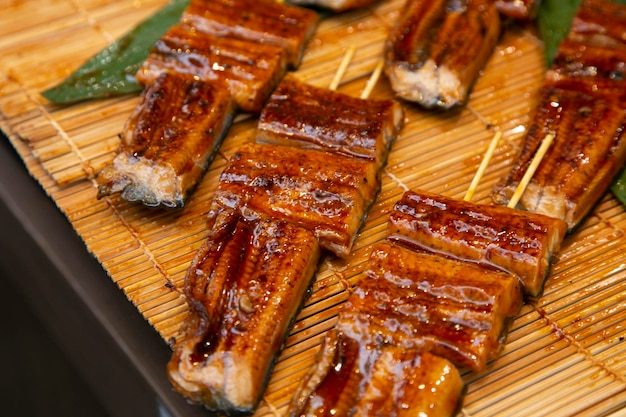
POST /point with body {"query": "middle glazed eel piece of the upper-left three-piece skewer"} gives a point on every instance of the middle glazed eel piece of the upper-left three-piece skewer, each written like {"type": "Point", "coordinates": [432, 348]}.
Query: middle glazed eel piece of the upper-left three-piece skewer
{"type": "Point", "coordinates": [251, 70]}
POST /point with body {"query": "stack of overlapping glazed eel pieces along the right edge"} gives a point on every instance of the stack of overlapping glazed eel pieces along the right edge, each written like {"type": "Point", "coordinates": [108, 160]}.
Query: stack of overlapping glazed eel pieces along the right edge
{"type": "Point", "coordinates": [582, 104]}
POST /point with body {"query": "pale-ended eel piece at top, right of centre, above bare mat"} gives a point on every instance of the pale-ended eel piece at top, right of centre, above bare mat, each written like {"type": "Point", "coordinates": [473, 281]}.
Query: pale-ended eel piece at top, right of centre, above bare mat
{"type": "Point", "coordinates": [437, 48]}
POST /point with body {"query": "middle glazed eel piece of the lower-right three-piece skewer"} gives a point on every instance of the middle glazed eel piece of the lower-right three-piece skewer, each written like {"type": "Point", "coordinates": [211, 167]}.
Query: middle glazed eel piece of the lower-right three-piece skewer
{"type": "Point", "coordinates": [418, 300]}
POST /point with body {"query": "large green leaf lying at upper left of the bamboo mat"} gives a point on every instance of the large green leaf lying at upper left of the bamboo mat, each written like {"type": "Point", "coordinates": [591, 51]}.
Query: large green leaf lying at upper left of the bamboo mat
{"type": "Point", "coordinates": [111, 72]}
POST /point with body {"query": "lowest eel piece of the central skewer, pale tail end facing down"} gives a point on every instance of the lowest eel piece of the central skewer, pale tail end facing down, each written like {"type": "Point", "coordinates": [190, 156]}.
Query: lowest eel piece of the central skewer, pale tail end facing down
{"type": "Point", "coordinates": [244, 288]}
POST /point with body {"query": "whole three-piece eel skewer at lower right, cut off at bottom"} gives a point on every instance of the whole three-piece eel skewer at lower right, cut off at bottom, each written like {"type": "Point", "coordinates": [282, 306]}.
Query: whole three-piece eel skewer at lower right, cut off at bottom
{"type": "Point", "coordinates": [437, 296]}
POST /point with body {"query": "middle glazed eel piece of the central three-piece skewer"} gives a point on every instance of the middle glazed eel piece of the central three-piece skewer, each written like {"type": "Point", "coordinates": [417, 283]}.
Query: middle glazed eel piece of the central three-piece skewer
{"type": "Point", "coordinates": [325, 193]}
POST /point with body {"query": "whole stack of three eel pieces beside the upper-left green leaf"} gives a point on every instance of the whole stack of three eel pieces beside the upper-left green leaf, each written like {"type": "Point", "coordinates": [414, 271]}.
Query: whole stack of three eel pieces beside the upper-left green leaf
{"type": "Point", "coordinates": [223, 56]}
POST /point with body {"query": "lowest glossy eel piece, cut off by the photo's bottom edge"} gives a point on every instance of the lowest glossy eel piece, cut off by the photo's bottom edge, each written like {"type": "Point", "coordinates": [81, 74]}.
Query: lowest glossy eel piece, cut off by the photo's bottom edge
{"type": "Point", "coordinates": [353, 380]}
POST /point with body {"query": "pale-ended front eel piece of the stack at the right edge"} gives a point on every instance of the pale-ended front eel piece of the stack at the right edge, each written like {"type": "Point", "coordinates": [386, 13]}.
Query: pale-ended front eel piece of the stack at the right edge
{"type": "Point", "coordinates": [588, 150]}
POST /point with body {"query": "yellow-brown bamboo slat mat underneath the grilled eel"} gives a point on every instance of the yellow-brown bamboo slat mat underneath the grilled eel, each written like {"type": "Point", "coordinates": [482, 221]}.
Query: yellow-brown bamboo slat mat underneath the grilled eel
{"type": "Point", "coordinates": [565, 355]}
